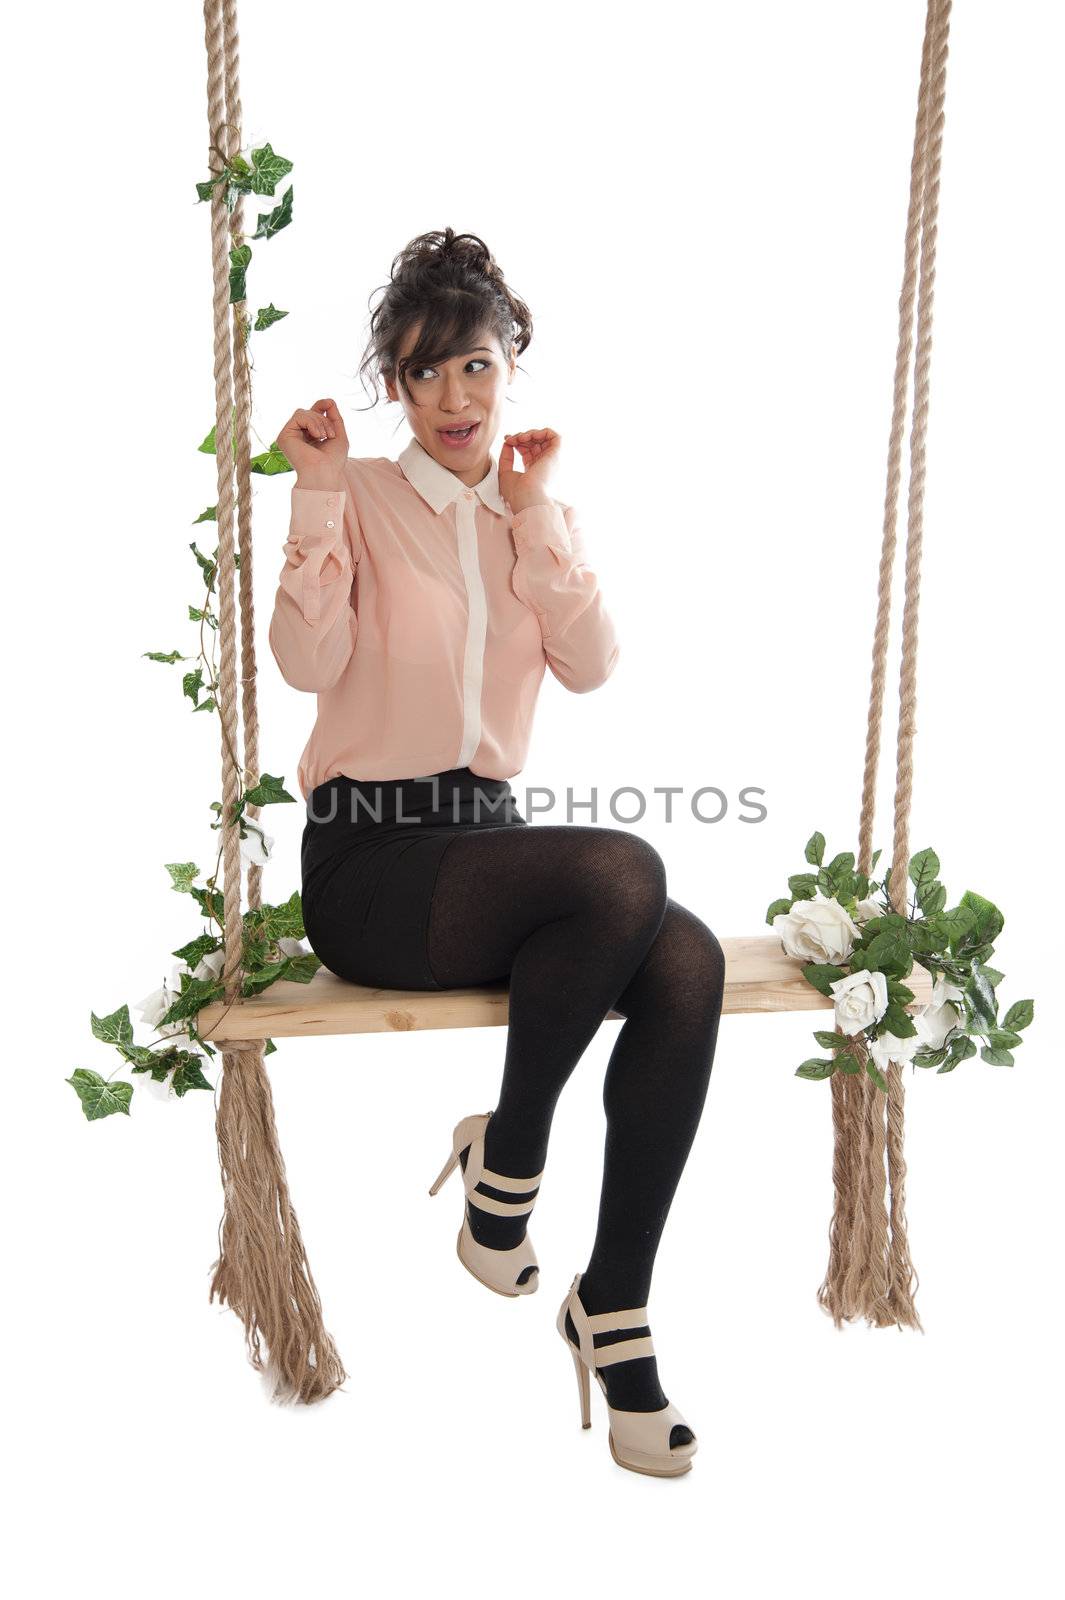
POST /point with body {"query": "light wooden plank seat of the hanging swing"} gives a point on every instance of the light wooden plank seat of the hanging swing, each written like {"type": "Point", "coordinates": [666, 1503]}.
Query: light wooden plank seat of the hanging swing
{"type": "Point", "coordinates": [759, 978]}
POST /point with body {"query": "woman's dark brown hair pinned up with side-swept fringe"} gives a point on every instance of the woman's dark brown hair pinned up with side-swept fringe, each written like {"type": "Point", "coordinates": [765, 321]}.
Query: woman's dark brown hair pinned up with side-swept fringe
{"type": "Point", "coordinates": [455, 289]}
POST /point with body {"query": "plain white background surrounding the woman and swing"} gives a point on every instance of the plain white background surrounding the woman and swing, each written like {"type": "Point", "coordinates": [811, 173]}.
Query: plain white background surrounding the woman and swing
{"type": "Point", "coordinates": [706, 214]}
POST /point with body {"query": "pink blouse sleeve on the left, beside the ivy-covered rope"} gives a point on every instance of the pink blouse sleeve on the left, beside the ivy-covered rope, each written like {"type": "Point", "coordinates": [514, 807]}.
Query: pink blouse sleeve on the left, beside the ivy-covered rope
{"type": "Point", "coordinates": [316, 625]}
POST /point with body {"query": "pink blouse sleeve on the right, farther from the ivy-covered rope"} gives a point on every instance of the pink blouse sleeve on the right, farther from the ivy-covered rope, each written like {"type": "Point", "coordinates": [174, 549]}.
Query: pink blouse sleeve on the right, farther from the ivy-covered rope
{"type": "Point", "coordinates": [552, 578]}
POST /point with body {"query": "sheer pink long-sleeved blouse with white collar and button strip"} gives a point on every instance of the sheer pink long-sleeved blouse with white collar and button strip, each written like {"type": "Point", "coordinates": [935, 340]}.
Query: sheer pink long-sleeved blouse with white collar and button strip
{"type": "Point", "coordinates": [423, 615]}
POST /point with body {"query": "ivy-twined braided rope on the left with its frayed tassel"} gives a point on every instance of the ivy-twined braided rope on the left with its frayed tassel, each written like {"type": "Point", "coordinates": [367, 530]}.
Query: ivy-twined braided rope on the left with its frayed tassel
{"type": "Point", "coordinates": [263, 1271]}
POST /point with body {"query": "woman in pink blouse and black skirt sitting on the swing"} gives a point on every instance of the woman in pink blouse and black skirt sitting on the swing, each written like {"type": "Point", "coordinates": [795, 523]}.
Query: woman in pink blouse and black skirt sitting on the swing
{"type": "Point", "coordinates": [423, 599]}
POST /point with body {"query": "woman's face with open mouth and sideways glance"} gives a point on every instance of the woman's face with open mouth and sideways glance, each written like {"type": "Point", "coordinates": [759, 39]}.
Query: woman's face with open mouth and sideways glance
{"type": "Point", "coordinates": [469, 390]}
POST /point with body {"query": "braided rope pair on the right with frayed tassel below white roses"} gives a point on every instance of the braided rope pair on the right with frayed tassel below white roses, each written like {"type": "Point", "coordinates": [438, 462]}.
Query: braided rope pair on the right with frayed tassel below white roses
{"type": "Point", "coordinates": [869, 1268]}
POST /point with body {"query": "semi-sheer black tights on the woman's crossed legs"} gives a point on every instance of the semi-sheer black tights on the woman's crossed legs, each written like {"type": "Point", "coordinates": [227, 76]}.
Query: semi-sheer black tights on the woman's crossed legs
{"type": "Point", "coordinates": [581, 924]}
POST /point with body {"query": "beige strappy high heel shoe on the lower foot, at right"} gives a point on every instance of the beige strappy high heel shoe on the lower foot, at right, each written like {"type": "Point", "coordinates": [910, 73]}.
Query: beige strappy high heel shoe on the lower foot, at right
{"type": "Point", "coordinates": [639, 1441]}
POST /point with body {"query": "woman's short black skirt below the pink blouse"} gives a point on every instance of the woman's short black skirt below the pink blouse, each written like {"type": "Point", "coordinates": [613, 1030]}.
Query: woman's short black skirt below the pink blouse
{"type": "Point", "coordinates": [370, 857]}
